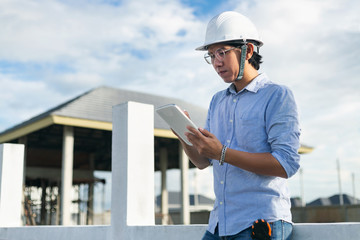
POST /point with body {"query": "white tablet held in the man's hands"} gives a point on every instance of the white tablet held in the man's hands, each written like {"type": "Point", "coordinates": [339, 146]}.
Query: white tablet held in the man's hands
{"type": "Point", "coordinates": [176, 119]}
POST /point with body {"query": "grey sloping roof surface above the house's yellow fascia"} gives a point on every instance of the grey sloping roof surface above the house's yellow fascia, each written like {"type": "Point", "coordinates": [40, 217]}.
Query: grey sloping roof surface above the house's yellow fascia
{"type": "Point", "coordinates": [96, 105]}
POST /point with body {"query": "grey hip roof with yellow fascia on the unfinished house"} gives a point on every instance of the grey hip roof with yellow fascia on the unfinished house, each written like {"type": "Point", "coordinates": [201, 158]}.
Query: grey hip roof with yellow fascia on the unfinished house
{"type": "Point", "coordinates": [93, 110]}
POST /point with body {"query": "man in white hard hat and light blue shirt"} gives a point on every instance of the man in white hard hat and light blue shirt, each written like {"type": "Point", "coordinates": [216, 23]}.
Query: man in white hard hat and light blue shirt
{"type": "Point", "coordinates": [251, 136]}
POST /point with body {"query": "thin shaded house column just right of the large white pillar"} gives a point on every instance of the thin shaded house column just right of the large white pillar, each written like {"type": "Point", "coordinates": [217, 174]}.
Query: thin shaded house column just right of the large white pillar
{"type": "Point", "coordinates": [164, 191]}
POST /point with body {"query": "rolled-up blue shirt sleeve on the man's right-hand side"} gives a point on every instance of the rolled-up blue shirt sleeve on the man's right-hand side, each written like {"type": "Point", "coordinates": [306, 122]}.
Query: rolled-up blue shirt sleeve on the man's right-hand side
{"type": "Point", "coordinates": [283, 129]}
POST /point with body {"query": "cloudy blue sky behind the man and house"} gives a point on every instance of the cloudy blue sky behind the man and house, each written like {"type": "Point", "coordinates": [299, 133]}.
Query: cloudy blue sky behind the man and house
{"type": "Point", "coordinates": [52, 51]}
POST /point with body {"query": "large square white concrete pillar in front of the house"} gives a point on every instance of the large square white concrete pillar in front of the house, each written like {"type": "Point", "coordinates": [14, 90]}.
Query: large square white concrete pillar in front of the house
{"type": "Point", "coordinates": [132, 196]}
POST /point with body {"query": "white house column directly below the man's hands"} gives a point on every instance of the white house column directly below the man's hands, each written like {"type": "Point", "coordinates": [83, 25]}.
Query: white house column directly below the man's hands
{"type": "Point", "coordinates": [184, 166]}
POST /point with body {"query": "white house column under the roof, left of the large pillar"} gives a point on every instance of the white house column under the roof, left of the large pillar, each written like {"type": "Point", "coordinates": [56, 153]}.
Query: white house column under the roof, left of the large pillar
{"type": "Point", "coordinates": [67, 174]}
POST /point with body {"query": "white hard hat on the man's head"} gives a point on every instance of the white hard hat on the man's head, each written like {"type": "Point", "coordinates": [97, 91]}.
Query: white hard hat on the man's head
{"type": "Point", "coordinates": [230, 27]}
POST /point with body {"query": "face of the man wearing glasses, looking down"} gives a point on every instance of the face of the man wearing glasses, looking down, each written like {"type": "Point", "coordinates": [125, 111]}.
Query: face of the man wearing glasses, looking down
{"type": "Point", "coordinates": [228, 67]}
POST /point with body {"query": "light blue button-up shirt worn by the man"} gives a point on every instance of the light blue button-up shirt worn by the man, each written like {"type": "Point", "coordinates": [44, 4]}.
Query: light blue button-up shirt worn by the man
{"type": "Point", "coordinates": [260, 118]}
